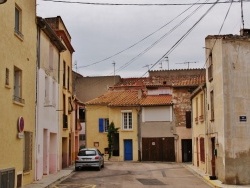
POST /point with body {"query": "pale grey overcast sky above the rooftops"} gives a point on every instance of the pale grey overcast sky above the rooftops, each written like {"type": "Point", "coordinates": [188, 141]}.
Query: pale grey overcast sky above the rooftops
{"type": "Point", "coordinates": [99, 32]}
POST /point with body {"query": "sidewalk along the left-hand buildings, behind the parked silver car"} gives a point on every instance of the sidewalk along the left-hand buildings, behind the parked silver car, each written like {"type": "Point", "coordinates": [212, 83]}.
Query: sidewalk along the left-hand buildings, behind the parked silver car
{"type": "Point", "coordinates": [48, 181]}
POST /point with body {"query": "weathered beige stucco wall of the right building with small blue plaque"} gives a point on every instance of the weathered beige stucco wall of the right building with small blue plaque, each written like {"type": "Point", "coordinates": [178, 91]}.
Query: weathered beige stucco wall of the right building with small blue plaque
{"type": "Point", "coordinates": [231, 93]}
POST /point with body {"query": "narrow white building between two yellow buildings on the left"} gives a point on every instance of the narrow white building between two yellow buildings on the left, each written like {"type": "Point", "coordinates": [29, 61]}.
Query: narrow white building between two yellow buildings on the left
{"type": "Point", "coordinates": [47, 107]}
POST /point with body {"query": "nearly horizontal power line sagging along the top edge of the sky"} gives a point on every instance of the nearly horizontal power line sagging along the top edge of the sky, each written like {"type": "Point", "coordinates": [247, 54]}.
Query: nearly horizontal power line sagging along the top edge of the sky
{"type": "Point", "coordinates": [142, 4]}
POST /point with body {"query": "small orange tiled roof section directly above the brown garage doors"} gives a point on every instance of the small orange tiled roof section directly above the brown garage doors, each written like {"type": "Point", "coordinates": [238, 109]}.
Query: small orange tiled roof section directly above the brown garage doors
{"type": "Point", "coordinates": [153, 100]}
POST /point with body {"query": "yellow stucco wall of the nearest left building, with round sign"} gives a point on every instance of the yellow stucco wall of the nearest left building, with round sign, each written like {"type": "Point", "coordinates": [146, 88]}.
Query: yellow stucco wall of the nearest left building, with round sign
{"type": "Point", "coordinates": [21, 53]}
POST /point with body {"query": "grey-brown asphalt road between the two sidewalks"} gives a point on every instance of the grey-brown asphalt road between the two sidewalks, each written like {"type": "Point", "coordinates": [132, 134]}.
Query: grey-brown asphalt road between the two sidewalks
{"type": "Point", "coordinates": [134, 175]}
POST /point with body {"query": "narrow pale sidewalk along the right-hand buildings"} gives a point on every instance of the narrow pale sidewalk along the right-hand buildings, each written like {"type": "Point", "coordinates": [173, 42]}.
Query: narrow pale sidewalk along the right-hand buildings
{"type": "Point", "coordinates": [205, 177]}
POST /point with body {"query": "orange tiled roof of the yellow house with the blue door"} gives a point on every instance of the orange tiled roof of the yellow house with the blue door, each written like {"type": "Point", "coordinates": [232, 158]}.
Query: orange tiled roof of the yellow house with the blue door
{"type": "Point", "coordinates": [117, 98]}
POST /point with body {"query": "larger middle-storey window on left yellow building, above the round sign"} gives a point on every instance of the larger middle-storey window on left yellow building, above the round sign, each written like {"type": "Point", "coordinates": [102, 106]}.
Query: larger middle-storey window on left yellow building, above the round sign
{"type": "Point", "coordinates": [18, 85]}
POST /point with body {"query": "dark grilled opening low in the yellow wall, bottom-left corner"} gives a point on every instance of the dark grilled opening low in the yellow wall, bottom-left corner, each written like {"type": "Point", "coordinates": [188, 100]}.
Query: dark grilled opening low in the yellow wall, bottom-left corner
{"type": "Point", "coordinates": [7, 178]}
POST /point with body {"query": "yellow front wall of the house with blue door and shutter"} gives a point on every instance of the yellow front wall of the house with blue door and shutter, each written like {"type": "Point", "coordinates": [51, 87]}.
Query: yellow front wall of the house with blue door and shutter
{"type": "Point", "coordinates": [93, 113]}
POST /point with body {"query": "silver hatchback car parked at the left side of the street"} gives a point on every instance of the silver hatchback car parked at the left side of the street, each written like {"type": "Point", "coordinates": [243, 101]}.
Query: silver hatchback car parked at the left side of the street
{"type": "Point", "coordinates": [89, 157]}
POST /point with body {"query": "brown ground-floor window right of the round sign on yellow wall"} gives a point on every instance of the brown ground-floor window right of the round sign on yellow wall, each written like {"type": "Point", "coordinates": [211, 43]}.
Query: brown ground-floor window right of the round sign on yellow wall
{"type": "Point", "coordinates": [27, 152]}
